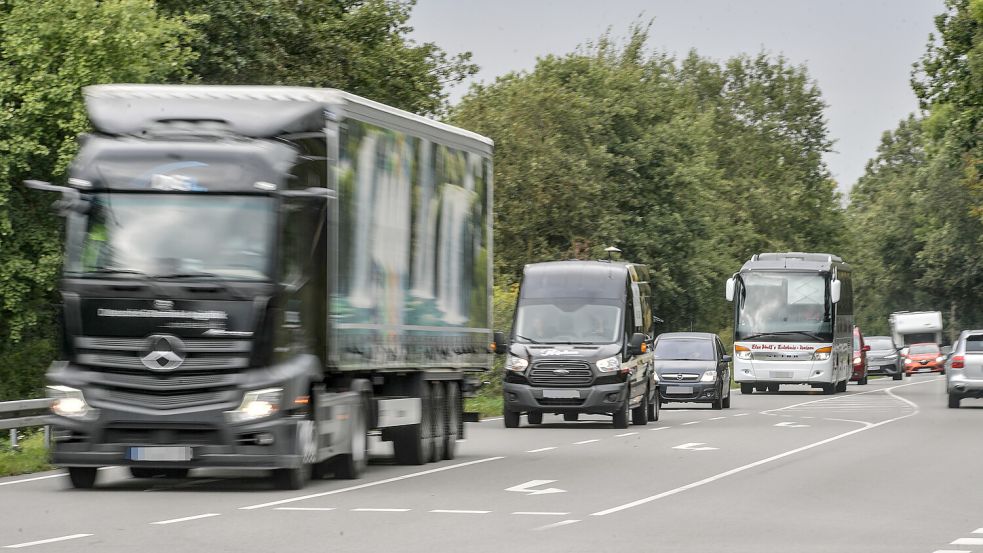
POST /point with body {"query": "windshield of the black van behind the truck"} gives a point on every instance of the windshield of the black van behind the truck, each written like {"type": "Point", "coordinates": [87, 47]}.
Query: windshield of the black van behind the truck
{"type": "Point", "coordinates": [567, 321]}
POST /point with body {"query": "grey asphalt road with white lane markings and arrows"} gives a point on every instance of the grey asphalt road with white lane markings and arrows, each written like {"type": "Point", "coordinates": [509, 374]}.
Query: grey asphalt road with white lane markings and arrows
{"type": "Point", "coordinates": [885, 467]}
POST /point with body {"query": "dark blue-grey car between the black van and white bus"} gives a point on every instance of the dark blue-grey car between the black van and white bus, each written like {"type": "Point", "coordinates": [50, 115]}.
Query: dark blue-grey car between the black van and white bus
{"type": "Point", "coordinates": [692, 367]}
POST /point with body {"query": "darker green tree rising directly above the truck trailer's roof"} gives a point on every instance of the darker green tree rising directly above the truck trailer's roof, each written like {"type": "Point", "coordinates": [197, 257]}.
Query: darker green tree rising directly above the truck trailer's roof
{"type": "Point", "coordinates": [360, 46]}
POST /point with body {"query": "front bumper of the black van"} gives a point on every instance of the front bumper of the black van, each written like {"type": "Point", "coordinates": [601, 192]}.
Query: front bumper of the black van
{"type": "Point", "coordinates": [598, 399]}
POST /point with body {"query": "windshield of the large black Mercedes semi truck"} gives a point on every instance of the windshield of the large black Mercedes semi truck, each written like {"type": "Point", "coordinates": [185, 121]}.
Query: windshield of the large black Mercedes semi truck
{"type": "Point", "coordinates": [172, 235]}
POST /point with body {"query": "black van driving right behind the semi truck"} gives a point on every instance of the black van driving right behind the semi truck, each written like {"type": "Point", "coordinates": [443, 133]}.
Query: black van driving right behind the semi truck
{"type": "Point", "coordinates": [581, 343]}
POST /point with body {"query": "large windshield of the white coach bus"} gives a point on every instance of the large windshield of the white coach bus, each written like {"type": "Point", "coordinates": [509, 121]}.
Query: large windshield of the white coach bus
{"type": "Point", "coordinates": [783, 307]}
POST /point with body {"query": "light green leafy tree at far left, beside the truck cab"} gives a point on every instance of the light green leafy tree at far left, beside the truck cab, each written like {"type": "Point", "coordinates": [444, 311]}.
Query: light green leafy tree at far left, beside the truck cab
{"type": "Point", "coordinates": [49, 49]}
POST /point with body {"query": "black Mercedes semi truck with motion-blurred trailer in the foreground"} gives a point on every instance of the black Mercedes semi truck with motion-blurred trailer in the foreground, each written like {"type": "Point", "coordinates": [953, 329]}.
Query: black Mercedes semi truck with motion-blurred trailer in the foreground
{"type": "Point", "coordinates": [263, 277]}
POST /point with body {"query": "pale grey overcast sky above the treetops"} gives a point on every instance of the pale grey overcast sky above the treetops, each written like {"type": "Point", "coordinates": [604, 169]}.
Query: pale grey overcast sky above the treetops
{"type": "Point", "coordinates": [859, 51]}
